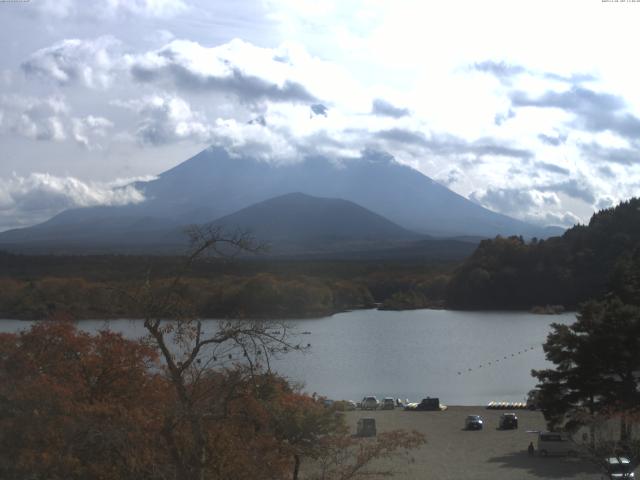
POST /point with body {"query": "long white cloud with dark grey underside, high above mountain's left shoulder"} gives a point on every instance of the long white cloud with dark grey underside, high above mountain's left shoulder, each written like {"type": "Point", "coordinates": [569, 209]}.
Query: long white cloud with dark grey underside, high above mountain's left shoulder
{"type": "Point", "coordinates": [238, 68]}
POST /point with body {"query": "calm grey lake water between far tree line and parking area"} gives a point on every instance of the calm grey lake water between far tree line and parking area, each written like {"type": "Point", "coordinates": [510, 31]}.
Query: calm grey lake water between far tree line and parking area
{"type": "Point", "coordinates": [464, 358]}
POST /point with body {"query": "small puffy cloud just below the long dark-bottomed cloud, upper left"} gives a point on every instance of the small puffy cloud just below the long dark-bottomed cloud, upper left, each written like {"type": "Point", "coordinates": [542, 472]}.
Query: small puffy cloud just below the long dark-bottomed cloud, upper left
{"type": "Point", "coordinates": [167, 118]}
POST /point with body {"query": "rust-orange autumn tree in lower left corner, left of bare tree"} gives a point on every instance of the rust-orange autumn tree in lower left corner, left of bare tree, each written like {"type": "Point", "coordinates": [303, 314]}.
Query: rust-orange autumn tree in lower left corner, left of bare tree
{"type": "Point", "coordinates": [76, 406]}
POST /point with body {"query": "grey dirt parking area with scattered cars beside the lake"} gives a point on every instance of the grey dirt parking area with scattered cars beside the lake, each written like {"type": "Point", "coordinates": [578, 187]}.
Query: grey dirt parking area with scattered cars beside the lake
{"type": "Point", "coordinates": [452, 453]}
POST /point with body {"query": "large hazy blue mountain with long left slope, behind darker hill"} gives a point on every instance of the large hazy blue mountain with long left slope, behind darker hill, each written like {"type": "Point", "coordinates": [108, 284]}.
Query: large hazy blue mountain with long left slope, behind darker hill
{"type": "Point", "coordinates": [212, 185]}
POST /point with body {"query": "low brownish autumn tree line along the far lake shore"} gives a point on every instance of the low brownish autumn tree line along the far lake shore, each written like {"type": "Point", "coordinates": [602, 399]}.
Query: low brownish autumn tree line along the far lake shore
{"type": "Point", "coordinates": [218, 290]}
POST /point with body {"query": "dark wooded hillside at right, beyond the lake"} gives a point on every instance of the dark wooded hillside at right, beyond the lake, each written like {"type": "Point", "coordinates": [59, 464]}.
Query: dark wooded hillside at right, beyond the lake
{"type": "Point", "coordinates": [509, 273]}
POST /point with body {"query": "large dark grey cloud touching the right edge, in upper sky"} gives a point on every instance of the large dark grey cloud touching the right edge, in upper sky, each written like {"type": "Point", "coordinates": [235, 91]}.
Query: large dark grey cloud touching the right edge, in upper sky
{"type": "Point", "coordinates": [595, 112]}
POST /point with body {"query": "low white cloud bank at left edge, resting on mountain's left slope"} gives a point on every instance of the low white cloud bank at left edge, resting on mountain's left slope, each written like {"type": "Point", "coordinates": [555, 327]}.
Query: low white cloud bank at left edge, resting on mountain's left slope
{"type": "Point", "coordinates": [38, 196]}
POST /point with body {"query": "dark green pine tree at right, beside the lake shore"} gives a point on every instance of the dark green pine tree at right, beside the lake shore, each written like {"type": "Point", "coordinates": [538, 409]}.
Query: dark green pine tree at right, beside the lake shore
{"type": "Point", "coordinates": [597, 360]}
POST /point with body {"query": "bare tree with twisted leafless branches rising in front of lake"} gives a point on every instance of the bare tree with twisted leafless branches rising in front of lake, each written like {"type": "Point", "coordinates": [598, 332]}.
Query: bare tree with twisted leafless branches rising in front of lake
{"type": "Point", "coordinates": [191, 349]}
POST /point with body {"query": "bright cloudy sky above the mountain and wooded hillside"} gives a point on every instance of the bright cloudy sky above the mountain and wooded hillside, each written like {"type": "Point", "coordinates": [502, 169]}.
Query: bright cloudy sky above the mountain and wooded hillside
{"type": "Point", "coordinates": [529, 108]}
